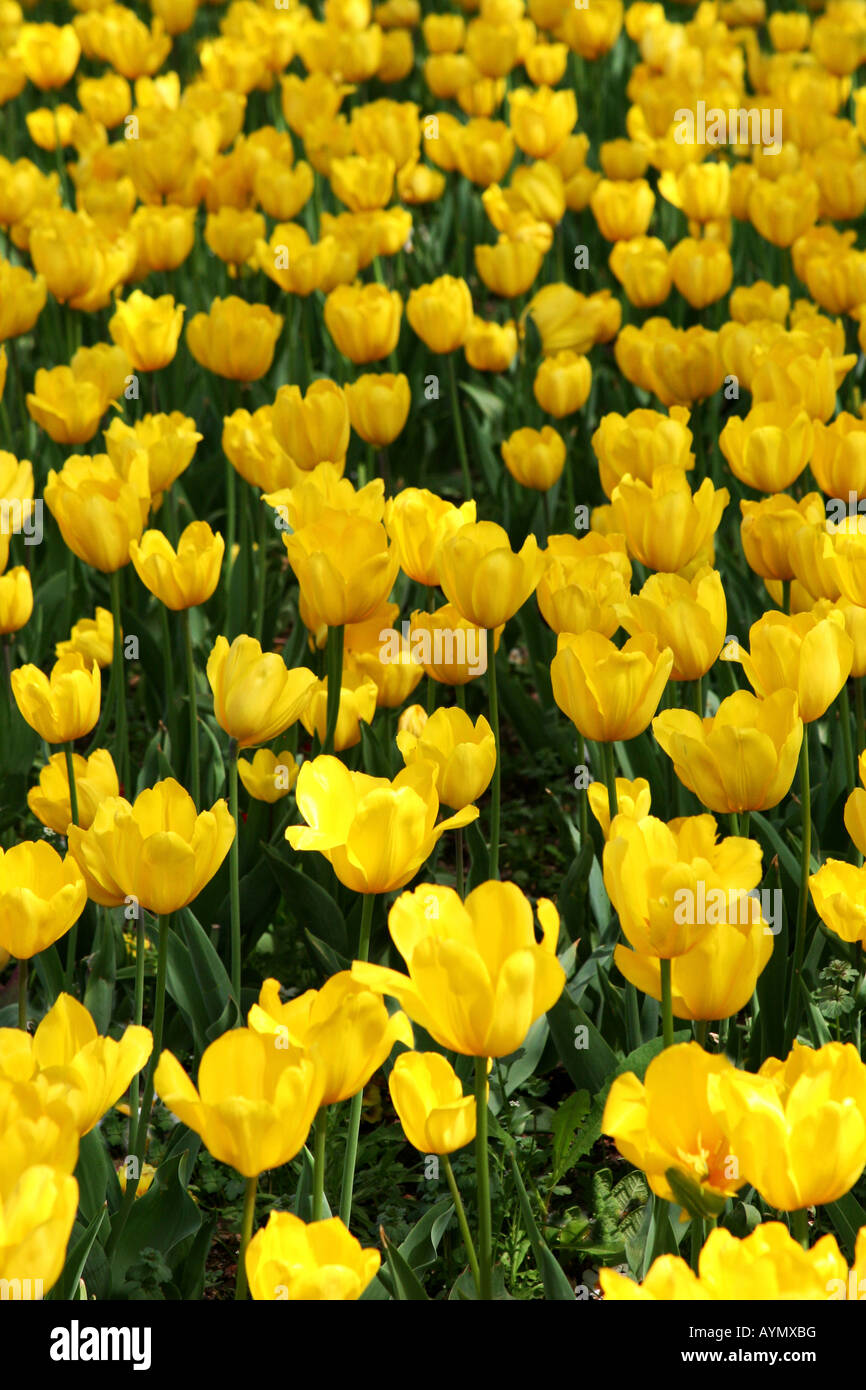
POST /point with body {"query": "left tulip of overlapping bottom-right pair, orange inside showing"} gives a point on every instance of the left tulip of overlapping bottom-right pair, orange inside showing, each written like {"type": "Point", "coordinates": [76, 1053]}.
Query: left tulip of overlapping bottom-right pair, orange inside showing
{"type": "Point", "coordinates": [667, 1122]}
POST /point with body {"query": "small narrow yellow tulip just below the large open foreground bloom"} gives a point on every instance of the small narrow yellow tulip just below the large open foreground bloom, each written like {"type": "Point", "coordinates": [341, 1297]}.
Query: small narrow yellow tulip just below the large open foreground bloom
{"type": "Point", "coordinates": [427, 1095]}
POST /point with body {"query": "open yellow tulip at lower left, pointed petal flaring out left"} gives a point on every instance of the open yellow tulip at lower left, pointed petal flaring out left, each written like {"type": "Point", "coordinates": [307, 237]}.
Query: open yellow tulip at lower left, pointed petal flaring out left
{"type": "Point", "coordinates": [255, 1103]}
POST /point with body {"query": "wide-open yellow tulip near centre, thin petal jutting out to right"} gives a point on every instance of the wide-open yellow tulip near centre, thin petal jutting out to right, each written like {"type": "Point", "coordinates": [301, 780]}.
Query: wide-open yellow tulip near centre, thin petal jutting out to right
{"type": "Point", "coordinates": [375, 833]}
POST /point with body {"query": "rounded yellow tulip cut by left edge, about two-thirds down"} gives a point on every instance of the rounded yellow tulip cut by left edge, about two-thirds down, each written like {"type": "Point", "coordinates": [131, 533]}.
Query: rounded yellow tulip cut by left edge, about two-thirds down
{"type": "Point", "coordinates": [41, 897]}
